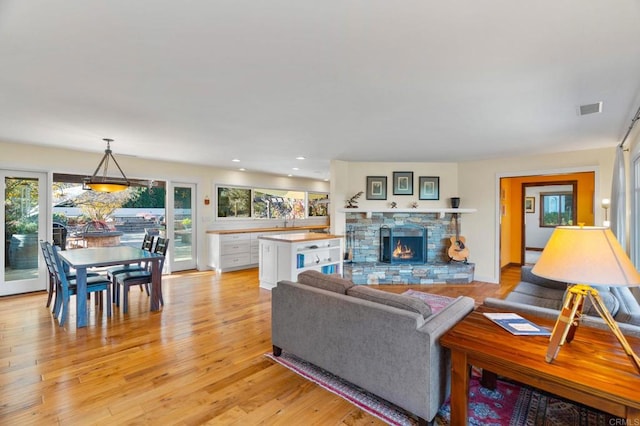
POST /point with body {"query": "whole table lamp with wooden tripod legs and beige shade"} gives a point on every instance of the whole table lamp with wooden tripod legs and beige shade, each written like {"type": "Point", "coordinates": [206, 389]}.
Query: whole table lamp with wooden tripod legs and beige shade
{"type": "Point", "coordinates": [584, 256]}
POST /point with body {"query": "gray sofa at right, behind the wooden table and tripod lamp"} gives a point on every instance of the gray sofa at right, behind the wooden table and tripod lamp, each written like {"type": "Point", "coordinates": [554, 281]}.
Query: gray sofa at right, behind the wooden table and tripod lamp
{"type": "Point", "coordinates": [544, 298]}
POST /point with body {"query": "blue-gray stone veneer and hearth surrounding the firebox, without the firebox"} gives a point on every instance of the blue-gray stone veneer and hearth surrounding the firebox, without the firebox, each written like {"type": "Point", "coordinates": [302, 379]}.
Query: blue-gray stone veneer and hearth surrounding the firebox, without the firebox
{"type": "Point", "coordinates": [363, 242]}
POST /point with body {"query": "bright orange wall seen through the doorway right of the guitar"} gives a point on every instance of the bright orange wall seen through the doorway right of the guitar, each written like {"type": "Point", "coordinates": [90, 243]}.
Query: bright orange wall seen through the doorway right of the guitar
{"type": "Point", "coordinates": [511, 209]}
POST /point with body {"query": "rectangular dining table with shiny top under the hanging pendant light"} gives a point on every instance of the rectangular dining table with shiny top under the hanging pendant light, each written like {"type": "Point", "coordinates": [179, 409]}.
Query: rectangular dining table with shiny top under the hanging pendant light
{"type": "Point", "coordinates": [97, 257]}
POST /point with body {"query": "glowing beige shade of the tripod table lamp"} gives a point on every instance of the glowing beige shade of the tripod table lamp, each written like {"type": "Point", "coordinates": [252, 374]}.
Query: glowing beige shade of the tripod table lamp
{"type": "Point", "coordinates": [586, 255]}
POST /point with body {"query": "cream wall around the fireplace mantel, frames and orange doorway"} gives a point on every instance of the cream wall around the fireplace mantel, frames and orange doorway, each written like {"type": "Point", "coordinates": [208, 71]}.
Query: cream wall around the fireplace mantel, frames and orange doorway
{"type": "Point", "coordinates": [477, 184]}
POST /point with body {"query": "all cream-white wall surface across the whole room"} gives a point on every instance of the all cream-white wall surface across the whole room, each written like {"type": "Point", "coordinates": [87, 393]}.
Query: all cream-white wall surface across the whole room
{"type": "Point", "coordinates": [476, 182]}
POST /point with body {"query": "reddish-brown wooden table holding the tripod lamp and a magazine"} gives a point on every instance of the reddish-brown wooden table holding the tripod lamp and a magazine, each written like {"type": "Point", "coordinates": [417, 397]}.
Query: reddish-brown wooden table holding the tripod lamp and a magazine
{"type": "Point", "coordinates": [592, 369]}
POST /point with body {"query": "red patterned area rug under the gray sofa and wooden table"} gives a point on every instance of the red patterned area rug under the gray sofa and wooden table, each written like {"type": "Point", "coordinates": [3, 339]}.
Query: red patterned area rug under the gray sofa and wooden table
{"type": "Point", "coordinates": [509, 404]}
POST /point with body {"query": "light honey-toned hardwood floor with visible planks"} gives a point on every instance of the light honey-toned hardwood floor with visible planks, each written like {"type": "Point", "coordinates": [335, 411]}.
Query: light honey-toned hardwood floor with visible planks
{"type": "Point", "coordinates": [198, 361]}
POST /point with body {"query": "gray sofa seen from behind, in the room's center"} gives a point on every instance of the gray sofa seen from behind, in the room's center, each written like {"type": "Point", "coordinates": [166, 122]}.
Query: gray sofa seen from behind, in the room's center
{"type": "Point", "coordinates": [385, 343]}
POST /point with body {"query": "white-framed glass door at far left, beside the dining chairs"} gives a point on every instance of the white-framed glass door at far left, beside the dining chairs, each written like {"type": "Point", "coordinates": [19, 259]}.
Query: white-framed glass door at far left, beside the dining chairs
{"type": "Point", "coordinates": [23, 222]}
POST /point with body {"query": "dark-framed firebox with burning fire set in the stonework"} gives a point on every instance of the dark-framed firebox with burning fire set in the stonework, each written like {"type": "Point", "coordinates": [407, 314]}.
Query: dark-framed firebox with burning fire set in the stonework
{"type": "Point", "coordinates": [403, 244]}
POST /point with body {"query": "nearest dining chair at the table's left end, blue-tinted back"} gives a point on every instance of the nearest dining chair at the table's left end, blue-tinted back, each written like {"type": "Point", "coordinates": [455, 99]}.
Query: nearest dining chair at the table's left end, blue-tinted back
{"type": "Point", "coordinates": [68, 287]}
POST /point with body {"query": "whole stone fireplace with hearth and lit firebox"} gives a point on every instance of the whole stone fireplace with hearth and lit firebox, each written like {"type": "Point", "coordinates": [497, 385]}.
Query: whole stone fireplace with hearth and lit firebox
{"type": "Point", "coordinates": [371, 238]}
